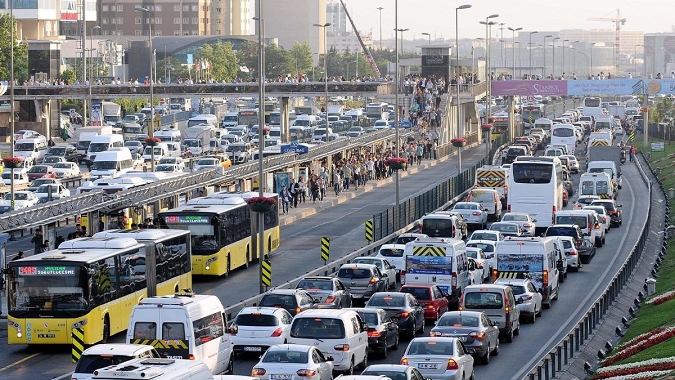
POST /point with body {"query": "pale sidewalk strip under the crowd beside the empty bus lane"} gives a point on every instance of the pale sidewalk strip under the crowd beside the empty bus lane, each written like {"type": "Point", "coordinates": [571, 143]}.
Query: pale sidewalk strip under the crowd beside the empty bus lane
{"type": "Point", "coordinates": [308, 208]}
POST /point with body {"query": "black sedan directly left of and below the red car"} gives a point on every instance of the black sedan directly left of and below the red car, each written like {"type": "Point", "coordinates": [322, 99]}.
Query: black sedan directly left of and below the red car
{"type": "Point", "coordinates": [403, 309]}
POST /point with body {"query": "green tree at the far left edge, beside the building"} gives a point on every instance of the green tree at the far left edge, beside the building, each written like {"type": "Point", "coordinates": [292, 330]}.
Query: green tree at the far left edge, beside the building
{"type": "Point", "coordinates": [20, 52]}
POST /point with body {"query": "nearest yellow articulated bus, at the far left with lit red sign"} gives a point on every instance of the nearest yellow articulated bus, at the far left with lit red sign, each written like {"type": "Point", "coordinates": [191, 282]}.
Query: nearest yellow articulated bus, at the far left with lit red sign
{"type": "Point", "coordinates": [92, 283]}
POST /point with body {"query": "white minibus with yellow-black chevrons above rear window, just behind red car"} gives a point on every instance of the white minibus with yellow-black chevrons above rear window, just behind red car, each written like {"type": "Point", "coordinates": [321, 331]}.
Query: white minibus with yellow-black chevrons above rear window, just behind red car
{"type": "Point", "coordinates": [441, 262]}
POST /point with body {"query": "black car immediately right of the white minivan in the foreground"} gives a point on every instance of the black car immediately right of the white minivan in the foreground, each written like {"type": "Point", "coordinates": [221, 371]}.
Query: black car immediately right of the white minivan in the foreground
{"type": "Point", "coordinates": [382, 331]}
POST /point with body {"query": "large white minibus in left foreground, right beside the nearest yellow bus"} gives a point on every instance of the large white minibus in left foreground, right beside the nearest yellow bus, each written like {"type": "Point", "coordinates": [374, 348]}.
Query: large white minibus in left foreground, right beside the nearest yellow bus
{"type": "Point", "coordinates": [195, 324]}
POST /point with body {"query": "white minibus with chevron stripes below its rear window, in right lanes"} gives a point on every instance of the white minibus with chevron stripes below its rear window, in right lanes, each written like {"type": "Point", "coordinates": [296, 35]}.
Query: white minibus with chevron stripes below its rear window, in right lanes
{"type": "Point", "coordinates": [532, 257]}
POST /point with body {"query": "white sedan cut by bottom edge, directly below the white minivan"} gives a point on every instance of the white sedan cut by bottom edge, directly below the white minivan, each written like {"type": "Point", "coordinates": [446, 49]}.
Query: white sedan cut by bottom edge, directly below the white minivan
{"type": "Point", "coordinates": [294, 362]}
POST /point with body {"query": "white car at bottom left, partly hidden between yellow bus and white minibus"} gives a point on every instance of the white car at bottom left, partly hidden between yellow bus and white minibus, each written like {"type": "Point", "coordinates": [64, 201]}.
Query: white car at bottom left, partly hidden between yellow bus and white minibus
{"type": "Point", "coordinates": [103, 355]}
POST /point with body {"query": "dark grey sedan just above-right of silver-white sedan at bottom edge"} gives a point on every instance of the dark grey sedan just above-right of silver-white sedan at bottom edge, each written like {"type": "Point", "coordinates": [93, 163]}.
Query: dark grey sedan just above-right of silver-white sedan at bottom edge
{"type": "Point", "coordinates": [479, 335]}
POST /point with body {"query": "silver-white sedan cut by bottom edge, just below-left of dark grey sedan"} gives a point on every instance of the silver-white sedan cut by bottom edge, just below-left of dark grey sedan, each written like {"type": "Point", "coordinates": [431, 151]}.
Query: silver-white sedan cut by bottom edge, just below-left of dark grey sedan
{"type": "Point", "coordinates": [439, 358]}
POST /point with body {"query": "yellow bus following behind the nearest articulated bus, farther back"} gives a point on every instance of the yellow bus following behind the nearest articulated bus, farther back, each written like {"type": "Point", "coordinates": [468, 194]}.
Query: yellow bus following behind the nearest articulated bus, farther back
{"type": "Point", "coordinates": [221, 227]}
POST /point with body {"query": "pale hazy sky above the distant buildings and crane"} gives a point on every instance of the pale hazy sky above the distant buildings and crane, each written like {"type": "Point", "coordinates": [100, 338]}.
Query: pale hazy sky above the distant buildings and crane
{"type": "Point", "coordinates": [438, 16]}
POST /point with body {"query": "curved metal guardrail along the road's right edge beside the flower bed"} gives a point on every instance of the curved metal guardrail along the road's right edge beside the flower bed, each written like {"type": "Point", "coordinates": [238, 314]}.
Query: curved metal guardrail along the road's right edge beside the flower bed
{"type": "Point", "coordinates": [564, 350]}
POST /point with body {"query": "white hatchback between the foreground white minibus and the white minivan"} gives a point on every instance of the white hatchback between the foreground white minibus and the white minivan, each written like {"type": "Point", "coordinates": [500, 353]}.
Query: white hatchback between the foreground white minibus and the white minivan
{"type": "Point", "coordinates": [255, 329]}
